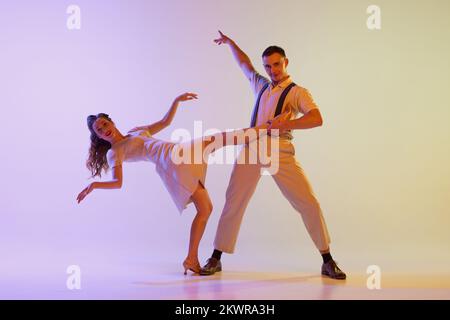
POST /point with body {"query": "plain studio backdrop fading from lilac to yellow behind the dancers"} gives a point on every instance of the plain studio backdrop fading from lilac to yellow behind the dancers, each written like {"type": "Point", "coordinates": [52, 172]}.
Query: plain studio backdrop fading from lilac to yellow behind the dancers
{"type": "Point", "coordinates": [379, 164]}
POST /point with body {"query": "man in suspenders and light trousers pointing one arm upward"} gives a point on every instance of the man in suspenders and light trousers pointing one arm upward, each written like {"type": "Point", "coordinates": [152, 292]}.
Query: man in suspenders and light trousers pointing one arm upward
{"type": "Point", "coordinates": [290, 177]}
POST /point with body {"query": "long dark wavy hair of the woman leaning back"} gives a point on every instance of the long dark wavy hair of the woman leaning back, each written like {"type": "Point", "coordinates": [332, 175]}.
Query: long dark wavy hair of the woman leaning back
{"type": "Point", "coordinates": [98, 149]}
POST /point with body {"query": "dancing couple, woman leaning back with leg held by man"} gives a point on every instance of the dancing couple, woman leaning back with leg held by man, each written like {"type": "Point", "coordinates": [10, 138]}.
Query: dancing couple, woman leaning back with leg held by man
{"type": "Point", "coordinates": [278, 104]}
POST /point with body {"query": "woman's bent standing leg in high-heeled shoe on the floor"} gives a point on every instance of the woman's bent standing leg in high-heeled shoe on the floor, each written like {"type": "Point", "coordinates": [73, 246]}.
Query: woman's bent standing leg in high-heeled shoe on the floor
{"type": "Point", "coordinates": [204, 208]}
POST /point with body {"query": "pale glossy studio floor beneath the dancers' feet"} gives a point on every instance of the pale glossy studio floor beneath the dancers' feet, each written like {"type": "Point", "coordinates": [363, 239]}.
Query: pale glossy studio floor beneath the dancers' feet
{"type": "Point", "coordinates": [166, 281]}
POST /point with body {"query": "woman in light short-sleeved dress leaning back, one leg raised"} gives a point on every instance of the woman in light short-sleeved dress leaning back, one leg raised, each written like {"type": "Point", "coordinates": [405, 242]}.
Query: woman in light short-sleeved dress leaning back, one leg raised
{"type": "Point", "coordinates": [185, 181]}
